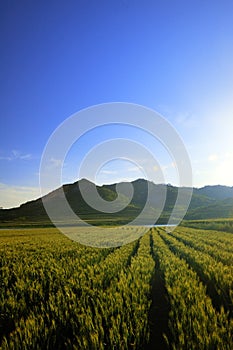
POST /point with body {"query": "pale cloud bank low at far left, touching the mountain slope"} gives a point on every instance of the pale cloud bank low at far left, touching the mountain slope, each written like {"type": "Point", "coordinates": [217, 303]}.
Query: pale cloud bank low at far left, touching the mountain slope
{"type": "Point", "coordinates": [13, 196]}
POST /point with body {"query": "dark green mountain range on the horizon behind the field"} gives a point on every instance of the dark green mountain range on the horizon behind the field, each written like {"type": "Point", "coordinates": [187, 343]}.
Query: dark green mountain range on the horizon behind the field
{"type": "Point", "coordinates": [207, 202]}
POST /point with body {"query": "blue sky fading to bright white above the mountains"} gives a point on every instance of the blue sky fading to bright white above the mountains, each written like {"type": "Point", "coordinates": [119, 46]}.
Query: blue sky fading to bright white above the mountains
{"type": "Point", "coordinates": [59, 57]}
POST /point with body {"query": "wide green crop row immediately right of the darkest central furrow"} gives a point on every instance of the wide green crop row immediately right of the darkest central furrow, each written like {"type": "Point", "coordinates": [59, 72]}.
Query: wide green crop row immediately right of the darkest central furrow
{"type": "Point", "coordinates": [193, 321]}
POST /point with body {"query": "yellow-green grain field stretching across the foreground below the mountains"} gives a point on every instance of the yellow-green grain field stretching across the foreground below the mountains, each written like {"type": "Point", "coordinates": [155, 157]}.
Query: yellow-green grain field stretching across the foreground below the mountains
{"type": "Point", "coordinates": [169, 289]}
